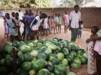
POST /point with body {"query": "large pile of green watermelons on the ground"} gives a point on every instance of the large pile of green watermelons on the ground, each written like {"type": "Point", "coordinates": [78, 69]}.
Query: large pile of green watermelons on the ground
{"type": "Point", "coordinates": [41, 57]}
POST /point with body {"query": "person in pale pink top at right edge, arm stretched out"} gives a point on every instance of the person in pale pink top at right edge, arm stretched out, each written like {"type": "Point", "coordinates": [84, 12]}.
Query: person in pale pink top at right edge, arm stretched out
{"type": "Point", "coordinates": [97, 50]}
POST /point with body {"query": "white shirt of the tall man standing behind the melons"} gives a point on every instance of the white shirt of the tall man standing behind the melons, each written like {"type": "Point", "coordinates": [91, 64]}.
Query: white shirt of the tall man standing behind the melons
{"type": "Point", "coordinates": [75, 18]}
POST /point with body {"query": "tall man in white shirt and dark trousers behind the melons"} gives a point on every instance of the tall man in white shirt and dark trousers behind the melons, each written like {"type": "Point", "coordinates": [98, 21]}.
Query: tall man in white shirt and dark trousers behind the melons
{"type": "Point", "coordinates": [75, 17]}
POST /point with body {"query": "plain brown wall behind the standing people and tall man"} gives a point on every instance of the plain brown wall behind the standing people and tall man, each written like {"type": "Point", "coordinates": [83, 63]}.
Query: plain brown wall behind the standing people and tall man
{"type": "Point", "coordinates": [90, 16]}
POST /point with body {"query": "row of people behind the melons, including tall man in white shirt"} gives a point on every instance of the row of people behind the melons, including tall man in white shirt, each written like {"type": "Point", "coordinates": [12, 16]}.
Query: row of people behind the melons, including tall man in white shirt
{"type": "Point", "coordinates": [28, 25]}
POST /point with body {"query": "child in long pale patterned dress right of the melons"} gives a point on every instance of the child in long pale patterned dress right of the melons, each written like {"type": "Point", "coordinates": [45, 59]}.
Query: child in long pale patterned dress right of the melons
{"type": "Point", "coordinates": [90, 48]}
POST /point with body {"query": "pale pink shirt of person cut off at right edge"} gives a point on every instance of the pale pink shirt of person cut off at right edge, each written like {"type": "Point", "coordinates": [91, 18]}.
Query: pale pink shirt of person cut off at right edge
{"type": "Point", "coordinates": [97, 46]}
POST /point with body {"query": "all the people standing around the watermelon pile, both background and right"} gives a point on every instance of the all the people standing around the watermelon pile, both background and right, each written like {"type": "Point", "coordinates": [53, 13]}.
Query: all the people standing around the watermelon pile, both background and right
{"type": "Point", "coordinates": [28, 26]}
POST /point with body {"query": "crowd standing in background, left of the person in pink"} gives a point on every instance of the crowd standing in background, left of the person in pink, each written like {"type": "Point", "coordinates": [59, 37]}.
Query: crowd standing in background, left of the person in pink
{"type": "Point", "coordinates": [20, 25]}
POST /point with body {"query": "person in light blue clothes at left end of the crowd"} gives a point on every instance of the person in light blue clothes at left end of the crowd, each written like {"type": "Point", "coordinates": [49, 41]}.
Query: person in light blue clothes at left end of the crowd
{"type": "Point", "coordinates": [11, 27]}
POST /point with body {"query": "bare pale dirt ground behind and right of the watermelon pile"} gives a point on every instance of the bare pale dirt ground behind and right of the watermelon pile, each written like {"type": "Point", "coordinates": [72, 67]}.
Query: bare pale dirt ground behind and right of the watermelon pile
{"type": "Point", "coordinates": [81, 42]}
